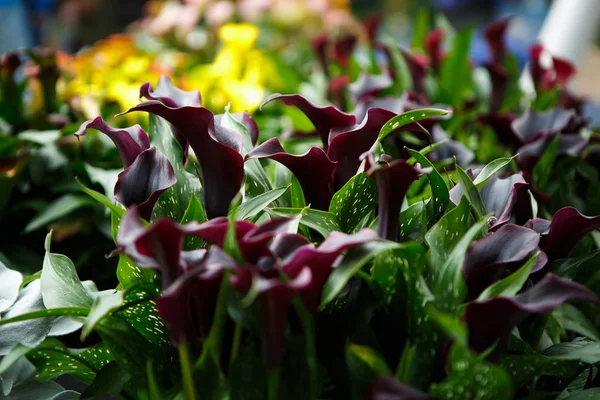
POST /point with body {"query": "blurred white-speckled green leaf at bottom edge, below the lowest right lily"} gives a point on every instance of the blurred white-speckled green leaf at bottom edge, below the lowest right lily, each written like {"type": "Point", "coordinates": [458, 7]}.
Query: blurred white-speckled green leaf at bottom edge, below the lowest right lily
{"type": "Point", "coordinates": [470, 378]}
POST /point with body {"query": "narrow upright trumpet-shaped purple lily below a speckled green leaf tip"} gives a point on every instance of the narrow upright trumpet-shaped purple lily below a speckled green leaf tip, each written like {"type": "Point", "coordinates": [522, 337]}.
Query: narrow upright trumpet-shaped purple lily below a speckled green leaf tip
{"type": "Point", "coordinates": [393, 180]}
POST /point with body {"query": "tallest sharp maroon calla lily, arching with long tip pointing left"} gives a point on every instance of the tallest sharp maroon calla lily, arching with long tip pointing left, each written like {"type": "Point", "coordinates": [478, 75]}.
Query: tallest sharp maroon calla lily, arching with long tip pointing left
{"type": "Point", "coordinates": [213, 144]}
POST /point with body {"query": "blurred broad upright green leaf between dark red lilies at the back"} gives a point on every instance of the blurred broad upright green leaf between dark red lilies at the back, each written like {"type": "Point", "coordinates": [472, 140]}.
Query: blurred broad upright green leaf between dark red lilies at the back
{"type": "Point", "coordinates": [455, 73]}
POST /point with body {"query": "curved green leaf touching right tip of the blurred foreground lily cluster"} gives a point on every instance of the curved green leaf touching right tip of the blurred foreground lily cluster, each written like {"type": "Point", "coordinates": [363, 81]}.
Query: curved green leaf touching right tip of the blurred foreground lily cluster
{"type": "Point", "coordinates": [352, 262]}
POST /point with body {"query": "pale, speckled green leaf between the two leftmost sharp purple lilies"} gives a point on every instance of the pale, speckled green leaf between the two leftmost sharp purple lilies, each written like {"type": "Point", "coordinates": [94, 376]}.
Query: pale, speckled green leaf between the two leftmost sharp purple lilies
{"type": "Point", "coordinates": [174, 201]}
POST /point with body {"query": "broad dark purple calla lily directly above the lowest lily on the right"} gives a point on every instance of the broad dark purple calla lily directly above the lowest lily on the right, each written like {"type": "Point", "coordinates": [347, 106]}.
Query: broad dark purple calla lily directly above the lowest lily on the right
{"type": "Point", "coordinates": [488, 259]}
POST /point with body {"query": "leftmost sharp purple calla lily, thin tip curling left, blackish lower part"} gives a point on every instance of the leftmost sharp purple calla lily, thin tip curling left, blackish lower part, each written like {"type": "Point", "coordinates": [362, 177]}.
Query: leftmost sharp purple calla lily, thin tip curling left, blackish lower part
{"type": "Point", "coordinates": [148, 172]}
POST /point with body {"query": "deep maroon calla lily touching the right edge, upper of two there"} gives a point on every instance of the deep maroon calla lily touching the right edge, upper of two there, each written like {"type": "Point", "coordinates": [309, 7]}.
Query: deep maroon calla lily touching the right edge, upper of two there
{"type": "Point", "coordinates": [567, 228]}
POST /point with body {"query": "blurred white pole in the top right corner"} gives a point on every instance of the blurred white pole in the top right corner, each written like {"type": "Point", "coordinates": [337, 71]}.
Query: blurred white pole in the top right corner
{"type": "Point", "coordinates": [567, 32]}
